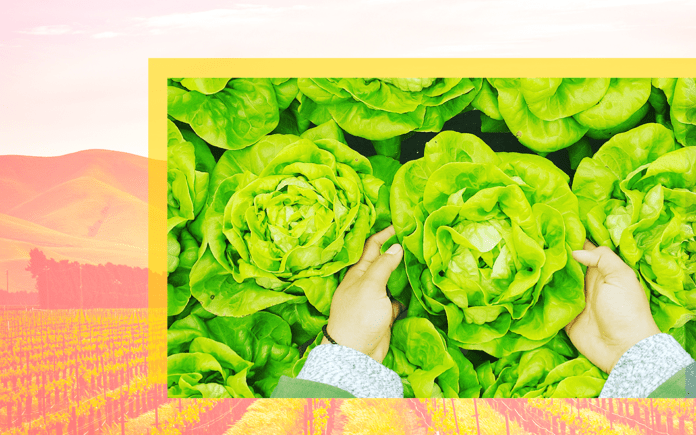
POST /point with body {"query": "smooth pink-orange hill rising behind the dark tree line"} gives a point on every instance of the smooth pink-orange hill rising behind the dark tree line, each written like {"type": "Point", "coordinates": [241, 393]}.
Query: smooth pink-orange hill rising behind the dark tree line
{"type": "Point", "coordinates": [90, 206]}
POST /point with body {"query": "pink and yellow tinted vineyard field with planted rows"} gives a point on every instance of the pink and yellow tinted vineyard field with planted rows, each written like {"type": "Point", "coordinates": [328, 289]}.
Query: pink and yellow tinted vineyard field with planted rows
{"type": "Point", "coordinates": [102, 371]}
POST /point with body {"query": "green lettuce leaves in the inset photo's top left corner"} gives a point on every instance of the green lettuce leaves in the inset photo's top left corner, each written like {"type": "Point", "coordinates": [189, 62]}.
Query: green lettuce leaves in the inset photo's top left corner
{"type": "Point", "coordinates": [230, 113]}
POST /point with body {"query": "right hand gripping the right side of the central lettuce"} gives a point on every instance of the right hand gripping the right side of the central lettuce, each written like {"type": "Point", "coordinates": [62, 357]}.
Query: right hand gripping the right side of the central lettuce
{"type": "Point", "coordinates": [617, 313]}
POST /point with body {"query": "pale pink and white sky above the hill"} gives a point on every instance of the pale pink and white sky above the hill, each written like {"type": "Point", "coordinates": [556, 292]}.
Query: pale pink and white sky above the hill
{"type": "Point", "coordinates": [74, 74]}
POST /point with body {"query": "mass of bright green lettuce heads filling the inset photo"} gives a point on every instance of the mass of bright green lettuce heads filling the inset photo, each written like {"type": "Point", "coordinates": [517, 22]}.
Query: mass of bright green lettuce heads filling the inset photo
{"type": "Point", "coordinates": [268, 205]}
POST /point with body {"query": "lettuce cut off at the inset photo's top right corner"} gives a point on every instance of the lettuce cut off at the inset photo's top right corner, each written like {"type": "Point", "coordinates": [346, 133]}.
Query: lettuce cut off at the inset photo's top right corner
{"type": "Point", "coordinates": [675, 107]}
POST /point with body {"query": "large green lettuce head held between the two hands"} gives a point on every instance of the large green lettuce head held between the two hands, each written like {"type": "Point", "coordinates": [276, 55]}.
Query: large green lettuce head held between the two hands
{"type": "Point", "coordinates": [487, 243]}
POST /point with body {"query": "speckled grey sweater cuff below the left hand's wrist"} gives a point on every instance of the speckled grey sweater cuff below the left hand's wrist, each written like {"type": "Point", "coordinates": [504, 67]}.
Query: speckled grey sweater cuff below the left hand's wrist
{"type": "Point", "coordinates": [352, 371]}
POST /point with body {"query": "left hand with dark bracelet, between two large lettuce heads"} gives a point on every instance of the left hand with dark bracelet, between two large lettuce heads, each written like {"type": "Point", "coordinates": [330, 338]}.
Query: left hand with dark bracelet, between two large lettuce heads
{"type": "Point", "coordinates": [361, 314]}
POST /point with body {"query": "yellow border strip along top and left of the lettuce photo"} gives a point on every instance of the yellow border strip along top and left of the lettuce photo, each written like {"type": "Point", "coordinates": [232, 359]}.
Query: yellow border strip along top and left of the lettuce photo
{"type": "Point", "coordinates": [161, 69]}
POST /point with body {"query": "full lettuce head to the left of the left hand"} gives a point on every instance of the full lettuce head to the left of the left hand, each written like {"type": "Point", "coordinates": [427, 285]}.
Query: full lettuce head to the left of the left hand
{"type": "Point", "coordinates": [286, 216]}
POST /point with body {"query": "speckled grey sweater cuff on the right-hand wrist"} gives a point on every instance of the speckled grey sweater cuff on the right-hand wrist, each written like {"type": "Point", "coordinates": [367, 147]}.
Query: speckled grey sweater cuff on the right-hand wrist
{"type": "Point", "coordinates": [646, 366]}
